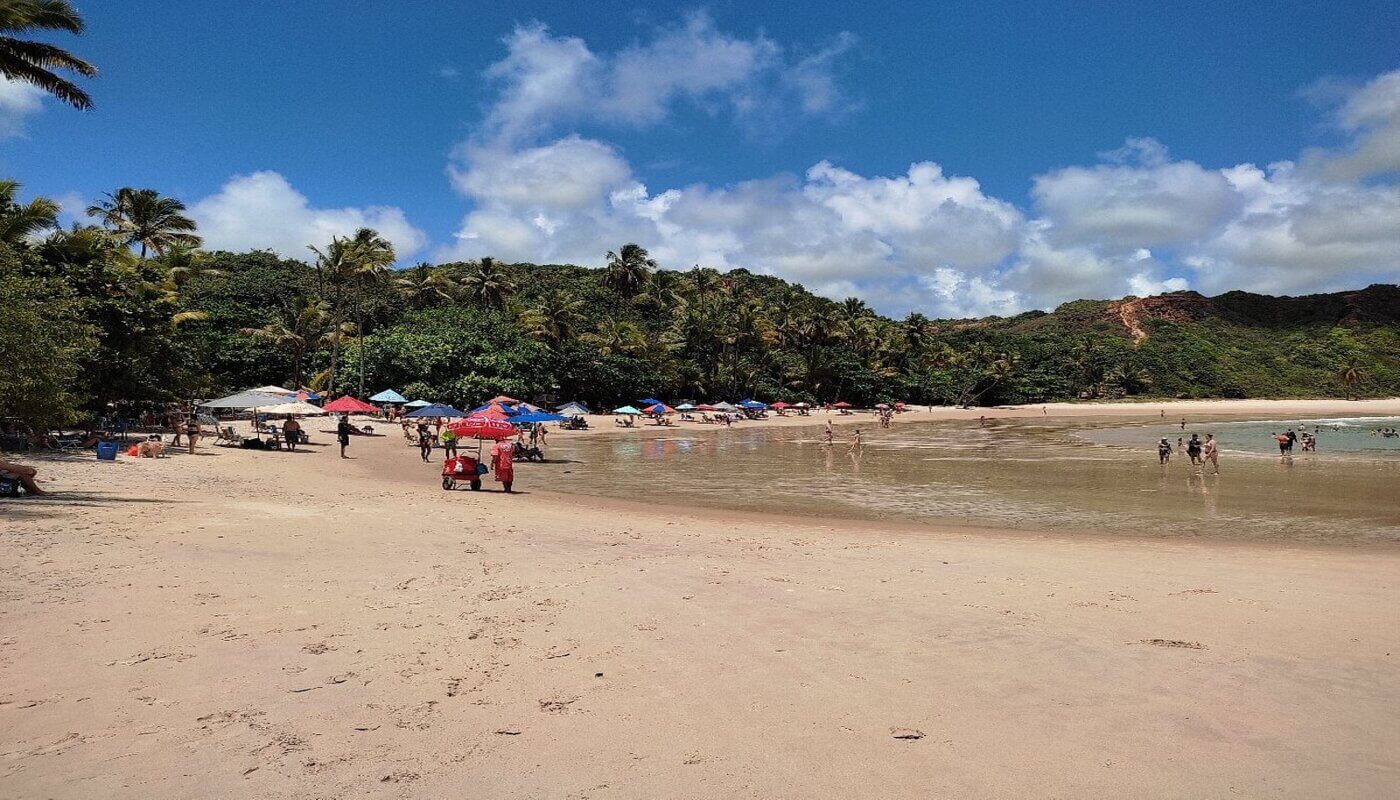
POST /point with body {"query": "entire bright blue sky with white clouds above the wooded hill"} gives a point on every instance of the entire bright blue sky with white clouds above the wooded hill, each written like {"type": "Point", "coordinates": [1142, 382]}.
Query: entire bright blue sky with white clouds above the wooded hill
{"type": "Point", "coordinates": [951, 158]}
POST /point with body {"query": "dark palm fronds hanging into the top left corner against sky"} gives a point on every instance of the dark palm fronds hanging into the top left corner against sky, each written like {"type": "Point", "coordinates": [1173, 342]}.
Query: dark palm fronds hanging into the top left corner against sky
{"type": "Point", "coordinates": [33, 62]}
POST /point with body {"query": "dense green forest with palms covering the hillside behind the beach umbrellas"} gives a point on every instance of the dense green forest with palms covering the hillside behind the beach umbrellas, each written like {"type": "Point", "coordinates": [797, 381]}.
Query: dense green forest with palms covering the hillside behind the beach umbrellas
{"type": "Point", "coordinates": [129, 313]}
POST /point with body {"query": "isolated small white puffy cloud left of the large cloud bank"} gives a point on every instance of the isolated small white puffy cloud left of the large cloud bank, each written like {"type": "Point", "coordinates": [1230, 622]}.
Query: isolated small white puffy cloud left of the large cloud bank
{"type": "Point", "coordinates": [262, 211]}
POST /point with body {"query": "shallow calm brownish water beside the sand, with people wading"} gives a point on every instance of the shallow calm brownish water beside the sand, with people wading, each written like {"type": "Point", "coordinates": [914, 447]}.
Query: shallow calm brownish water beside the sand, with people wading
{"type": "Point", "coordinates": [1097, 476]}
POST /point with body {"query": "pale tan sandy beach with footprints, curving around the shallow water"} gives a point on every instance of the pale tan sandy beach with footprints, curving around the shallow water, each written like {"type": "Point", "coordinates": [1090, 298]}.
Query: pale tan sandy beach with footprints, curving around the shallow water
{"type": "Point", "coordinates": [241, 624]}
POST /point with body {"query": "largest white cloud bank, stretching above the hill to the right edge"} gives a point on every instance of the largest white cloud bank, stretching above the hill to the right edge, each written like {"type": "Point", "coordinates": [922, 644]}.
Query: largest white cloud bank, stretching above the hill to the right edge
{"type": "Point", "coordinates": [1135, 222]}
